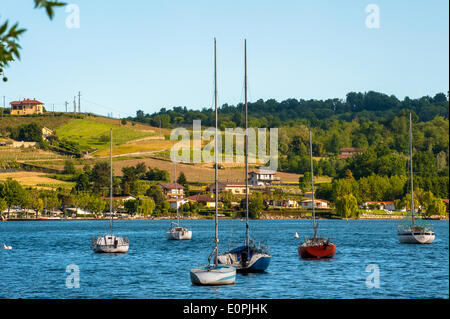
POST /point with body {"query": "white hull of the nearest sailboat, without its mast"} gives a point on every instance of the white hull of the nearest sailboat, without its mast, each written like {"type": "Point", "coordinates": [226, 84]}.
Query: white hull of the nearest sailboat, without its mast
{"type": "Point", "coordinates": [212, 275]}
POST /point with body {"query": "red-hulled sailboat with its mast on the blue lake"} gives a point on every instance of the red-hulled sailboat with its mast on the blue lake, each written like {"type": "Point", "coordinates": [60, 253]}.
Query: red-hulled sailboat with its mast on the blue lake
{"type": "Point", "coordinates": [315, 247]}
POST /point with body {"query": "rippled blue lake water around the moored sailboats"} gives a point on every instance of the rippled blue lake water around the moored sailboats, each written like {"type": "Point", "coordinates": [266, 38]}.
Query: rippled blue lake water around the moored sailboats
{"type": "Point", "coordinates": [157, 268]}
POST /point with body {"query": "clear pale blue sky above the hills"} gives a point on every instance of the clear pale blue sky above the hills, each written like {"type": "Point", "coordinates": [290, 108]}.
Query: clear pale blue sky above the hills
{"type": "Point", "coordinates": [136, 54]}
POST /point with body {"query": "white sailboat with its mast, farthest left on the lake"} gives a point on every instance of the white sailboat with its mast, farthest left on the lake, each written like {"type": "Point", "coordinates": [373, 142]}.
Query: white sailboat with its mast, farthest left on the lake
{"type": "Point", "coordinates": [110, 243]}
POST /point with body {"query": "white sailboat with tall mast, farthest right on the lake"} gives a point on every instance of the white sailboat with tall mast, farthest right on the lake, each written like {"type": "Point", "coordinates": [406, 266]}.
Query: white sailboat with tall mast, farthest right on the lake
{"type": "Point", "coordinates": [414, 230]}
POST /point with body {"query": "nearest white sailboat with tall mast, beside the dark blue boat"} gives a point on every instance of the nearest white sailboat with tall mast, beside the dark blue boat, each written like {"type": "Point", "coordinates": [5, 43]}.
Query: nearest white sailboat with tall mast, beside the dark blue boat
{"type": "Point", "coordinates": [214, 274]}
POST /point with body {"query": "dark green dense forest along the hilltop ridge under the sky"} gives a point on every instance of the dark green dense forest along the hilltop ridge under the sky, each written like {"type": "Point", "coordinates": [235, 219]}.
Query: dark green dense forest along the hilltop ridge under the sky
{"type": "Point", "coordinates": [372, 106]}
